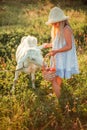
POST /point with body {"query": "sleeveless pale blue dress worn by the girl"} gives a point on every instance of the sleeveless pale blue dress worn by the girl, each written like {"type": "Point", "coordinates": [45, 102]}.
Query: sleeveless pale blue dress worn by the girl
{"type": "Point", "coordinates": [66, 62]}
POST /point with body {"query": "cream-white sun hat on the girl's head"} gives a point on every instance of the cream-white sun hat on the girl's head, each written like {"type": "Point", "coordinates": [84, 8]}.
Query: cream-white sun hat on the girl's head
{"type": "Point", "coordinates": [56, 15]}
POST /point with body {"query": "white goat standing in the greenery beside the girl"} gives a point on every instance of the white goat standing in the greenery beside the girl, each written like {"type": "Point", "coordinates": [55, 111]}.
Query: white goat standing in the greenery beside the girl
{"type": "Point", "coordinates": [29, 58]}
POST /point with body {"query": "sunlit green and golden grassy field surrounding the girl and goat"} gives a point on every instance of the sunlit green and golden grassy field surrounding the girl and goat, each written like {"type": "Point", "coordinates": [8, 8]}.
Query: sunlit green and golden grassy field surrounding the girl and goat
{"type": "Point", "coordinates": [39, 109]}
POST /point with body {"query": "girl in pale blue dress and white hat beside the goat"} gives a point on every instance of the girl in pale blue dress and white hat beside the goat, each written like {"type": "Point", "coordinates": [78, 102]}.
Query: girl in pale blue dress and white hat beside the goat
{"type": "Point", "coordinates": [63, 48]}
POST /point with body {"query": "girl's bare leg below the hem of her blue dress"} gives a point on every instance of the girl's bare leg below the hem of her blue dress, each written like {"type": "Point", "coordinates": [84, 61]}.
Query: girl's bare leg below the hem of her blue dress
{"type": "Point", "coordinates": [56, 83]}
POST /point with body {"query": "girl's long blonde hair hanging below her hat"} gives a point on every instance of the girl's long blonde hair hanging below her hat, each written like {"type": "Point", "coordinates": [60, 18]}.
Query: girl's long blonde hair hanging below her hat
{"type": "Point", "coordinates": [61, 33]}
